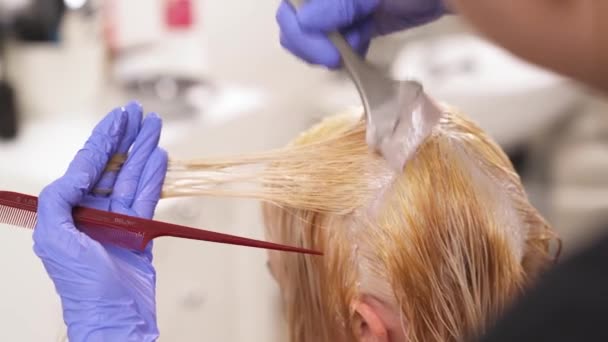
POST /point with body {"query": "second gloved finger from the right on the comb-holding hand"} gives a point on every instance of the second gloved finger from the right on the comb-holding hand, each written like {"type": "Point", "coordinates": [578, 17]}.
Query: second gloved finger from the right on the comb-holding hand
{"type": "Point", "coordinates": [129, 176]}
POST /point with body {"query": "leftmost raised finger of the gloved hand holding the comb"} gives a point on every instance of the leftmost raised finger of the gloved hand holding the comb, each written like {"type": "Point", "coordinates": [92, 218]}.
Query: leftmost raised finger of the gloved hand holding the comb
{"type": "Point", "coordinates": [55, 226]}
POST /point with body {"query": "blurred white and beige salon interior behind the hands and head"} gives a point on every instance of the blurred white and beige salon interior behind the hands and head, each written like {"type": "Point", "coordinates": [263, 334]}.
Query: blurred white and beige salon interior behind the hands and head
{"type": "Point", "coordinates": [216, 73]}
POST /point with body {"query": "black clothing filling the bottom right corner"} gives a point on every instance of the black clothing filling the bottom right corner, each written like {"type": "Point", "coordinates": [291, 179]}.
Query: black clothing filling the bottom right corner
{"type": "Point", "coordinates": [569, 304]}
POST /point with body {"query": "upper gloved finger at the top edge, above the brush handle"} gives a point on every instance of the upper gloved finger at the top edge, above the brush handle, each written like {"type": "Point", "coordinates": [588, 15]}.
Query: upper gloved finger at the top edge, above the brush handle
{"type": "Point", "coordinates": [327, 16]}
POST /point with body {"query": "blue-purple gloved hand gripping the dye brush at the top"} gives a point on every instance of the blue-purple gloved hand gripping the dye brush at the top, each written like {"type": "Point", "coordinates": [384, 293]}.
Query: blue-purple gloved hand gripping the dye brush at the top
{"type": "Point", "coordinates": [303, 32]}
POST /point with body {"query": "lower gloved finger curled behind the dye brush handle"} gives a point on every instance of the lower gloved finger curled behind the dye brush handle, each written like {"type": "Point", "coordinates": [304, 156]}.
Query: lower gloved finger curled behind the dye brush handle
{"type": "Point", "coordinates": [315, 48]}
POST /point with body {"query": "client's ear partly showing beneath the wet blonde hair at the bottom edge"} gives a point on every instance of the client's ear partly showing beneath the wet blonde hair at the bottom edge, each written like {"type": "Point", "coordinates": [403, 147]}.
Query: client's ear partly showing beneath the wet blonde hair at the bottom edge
{"type": "Point", "coordinates": [369, 325]}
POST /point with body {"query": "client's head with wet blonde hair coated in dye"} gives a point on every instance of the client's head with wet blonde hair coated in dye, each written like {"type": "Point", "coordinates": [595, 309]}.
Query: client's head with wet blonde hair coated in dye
{"type": "Point", "coordinates": [434, 253]}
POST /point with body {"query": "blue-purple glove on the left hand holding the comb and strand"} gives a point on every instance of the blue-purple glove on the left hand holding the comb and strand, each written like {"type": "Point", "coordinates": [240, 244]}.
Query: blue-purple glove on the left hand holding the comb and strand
{"type": "Point", "coordinates": [107, 293]}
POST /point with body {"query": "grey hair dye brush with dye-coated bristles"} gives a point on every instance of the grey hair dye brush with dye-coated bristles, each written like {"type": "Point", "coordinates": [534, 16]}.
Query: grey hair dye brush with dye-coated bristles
{"type": "Point", "coordinates": [399, 114]}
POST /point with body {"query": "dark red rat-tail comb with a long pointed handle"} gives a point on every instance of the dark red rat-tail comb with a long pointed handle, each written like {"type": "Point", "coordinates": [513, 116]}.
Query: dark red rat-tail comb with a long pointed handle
{"type": "Point", "coordinates": [123, 230]}
